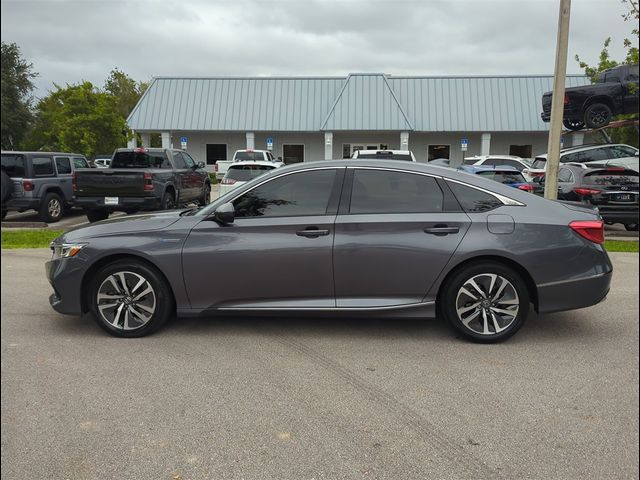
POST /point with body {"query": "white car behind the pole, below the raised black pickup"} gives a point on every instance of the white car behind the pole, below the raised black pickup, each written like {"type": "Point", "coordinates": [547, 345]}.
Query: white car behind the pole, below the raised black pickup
{"type": "Point", "coordinates": [584, 154]}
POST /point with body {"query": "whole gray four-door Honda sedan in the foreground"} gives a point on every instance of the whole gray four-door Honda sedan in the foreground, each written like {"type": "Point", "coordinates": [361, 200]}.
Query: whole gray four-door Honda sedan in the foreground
{"type": "Point", "coordinates": [346, 237]}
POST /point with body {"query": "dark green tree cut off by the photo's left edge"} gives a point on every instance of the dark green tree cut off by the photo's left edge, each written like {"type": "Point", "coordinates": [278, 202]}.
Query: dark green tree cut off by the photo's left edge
{"type": "Point", "coordinates": [16, 101]}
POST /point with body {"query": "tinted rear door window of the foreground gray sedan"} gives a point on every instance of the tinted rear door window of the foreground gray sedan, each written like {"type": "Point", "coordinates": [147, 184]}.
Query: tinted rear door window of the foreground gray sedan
{"type": "Point", "coordinates": [378, 191]}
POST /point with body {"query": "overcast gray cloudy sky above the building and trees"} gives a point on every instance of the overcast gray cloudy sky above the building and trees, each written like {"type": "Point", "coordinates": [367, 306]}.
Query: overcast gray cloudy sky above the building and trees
{"type": "Point", "coordinates": [72, 40]}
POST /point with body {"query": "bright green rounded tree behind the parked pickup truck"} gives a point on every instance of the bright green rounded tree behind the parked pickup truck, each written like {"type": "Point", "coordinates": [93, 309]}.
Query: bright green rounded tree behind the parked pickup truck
{"type": "Point", "coordinates": [78, 118]}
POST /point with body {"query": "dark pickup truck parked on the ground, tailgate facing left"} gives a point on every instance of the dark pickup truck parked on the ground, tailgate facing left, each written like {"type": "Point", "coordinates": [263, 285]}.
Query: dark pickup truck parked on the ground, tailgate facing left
{"type": "Point", "coordinates": [141, 179]}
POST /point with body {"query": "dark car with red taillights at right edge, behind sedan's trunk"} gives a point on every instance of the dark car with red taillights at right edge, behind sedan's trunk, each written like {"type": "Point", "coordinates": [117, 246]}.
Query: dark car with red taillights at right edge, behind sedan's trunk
{"type": "Point", "coordinates": [613, 190]}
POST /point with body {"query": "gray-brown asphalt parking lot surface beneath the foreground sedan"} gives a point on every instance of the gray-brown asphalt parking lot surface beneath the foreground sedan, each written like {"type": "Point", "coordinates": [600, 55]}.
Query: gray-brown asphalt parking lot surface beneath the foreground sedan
{"type": "Point", "coordinates": [302, 398]}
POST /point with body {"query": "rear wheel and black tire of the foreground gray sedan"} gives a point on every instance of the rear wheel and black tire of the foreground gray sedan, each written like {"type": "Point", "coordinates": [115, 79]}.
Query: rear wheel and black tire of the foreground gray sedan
{"type": "Point", "coordinates": [512, 295]}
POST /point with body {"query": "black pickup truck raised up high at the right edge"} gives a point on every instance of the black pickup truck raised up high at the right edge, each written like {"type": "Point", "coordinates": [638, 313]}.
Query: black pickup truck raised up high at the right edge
{"type": "Point", "coordinates": [614, 93]}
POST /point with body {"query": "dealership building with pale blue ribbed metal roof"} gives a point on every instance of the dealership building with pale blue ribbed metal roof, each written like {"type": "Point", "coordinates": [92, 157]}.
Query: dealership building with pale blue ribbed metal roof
{"type": "Point", "coordinates": [317, 118]}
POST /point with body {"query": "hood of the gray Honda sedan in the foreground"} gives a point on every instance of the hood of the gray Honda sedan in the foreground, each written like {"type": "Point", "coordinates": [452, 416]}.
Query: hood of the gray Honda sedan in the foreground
{"type": "Point", "coordinates": [124, 224]}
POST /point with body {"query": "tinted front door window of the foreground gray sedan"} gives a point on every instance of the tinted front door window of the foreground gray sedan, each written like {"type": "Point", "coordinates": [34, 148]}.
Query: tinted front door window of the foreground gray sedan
{"type": "Point", "coordinates": [305, 193]}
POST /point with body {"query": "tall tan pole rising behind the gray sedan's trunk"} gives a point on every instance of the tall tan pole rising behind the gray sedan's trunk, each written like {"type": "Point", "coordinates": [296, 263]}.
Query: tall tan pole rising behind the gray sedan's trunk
{"type": "Point", "coordinates": [557, 102]}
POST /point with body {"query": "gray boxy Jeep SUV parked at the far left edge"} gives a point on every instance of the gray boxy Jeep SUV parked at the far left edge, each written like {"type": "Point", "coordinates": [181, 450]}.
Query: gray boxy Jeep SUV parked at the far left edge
{"type": "Point", "coordinates": [39, 181]}
